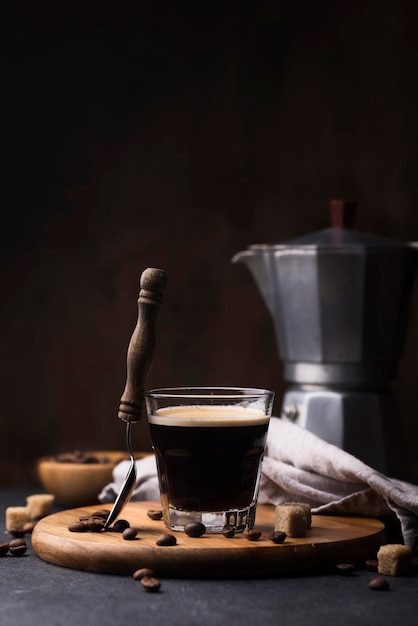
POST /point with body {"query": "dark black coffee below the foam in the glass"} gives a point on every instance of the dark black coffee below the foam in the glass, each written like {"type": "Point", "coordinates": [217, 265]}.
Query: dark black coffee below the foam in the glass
{"type": "Point", "coordinates": [209, 468]}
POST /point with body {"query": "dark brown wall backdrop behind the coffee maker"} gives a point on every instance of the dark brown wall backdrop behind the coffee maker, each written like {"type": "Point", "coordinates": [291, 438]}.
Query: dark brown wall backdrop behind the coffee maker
{"type": "Point", "coordinates": [141, 134]}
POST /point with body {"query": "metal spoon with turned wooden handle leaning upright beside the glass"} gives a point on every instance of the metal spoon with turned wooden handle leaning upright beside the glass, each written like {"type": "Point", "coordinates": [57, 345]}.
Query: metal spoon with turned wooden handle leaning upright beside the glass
{"type": "Point", "coordinates": [139, 358]}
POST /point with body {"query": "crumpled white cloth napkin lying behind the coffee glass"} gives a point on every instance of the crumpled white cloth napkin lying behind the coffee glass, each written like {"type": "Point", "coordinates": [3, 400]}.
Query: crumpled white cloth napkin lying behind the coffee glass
{"type": "Point", "coordinates": [299, 466]}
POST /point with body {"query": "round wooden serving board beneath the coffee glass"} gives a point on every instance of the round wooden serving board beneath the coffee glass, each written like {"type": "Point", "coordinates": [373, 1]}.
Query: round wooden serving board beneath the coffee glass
{"type": "Point", "coordinates": [330, 540]}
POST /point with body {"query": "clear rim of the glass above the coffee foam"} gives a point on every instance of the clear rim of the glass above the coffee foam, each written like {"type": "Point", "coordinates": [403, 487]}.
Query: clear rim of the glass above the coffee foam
{"type": "Point", "coordinates": [208, 392]}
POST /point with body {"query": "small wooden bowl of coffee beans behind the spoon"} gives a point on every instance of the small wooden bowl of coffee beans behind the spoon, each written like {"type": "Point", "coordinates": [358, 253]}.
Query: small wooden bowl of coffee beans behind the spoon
{"type": "Point", "coordinates": [76, 484]}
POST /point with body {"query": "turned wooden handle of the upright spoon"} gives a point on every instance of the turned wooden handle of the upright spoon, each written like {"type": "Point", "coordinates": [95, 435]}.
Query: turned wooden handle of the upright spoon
{"type": "Point", "coordinates": [142, 343]}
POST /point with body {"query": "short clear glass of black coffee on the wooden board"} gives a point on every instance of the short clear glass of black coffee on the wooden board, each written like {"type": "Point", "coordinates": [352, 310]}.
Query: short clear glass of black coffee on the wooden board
{"type": "Point", "coordinates": [209, 445]}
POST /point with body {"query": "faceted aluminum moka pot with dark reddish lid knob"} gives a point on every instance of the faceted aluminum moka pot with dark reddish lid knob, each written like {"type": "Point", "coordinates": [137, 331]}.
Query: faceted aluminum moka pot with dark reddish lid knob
{"type": "Point", "coordinates": [339, 299]}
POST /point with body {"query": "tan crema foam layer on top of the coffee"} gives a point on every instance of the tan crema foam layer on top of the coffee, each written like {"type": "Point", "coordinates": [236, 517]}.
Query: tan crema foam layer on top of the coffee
{"type": "Point", "coordinates": [208, 416]}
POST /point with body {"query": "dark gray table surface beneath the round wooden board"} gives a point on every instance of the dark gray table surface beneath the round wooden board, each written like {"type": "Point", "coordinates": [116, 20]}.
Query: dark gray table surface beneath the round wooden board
{"type": "Point", "coordinates": [35, 593]}
